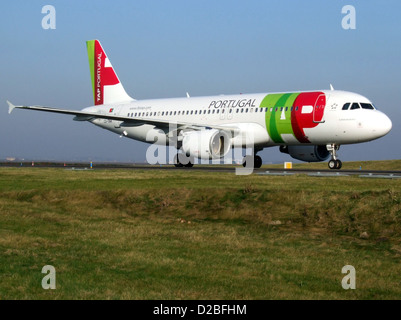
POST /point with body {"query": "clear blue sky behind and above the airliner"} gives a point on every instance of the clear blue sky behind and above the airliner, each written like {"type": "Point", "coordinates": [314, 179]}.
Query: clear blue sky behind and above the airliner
{"type": "Point", "coordinates": [163, 49]}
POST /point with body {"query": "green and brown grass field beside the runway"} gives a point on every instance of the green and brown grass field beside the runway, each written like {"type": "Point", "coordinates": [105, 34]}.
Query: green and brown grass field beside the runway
{"type": "Point", "coordinates": [151, 234]}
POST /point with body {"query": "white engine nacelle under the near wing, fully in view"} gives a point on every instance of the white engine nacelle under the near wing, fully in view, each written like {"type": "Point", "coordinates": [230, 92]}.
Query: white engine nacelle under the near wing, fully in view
{"type": "Point", "coordinates": [206, 144]}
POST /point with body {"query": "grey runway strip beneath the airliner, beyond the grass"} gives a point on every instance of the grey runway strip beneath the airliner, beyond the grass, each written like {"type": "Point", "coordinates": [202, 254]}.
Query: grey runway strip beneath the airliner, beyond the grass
{"type": "Point", "coordinates": [212, 168]}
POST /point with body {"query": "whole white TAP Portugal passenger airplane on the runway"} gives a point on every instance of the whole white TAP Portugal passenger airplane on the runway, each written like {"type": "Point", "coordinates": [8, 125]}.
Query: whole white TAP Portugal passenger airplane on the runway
{"type": "Point", "coordinates": [308, 125]}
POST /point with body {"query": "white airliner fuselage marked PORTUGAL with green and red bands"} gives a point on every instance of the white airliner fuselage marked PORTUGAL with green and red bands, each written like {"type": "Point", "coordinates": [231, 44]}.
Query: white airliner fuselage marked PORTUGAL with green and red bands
{"type": "Point", "coordinates": [271, 125]}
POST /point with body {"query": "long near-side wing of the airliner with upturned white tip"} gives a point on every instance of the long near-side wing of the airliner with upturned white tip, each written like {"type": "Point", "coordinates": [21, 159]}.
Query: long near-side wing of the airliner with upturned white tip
{"type": "Point", "coordinates": [87, 116]}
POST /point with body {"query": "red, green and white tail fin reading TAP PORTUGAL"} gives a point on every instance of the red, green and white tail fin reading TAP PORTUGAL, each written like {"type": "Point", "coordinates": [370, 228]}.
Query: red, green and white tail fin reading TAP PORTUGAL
{"type": "Point", "coordinates": [107, 88]}
